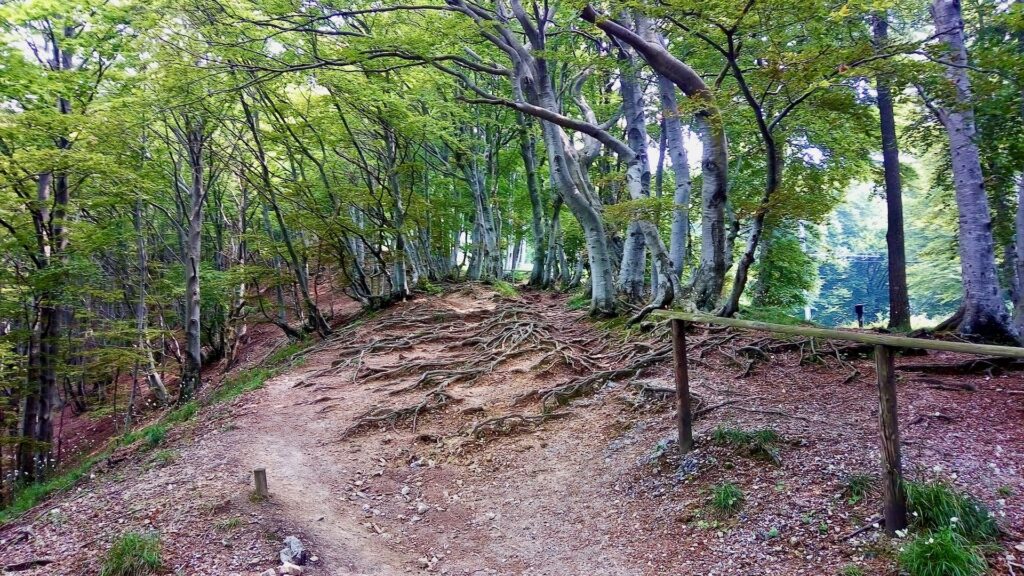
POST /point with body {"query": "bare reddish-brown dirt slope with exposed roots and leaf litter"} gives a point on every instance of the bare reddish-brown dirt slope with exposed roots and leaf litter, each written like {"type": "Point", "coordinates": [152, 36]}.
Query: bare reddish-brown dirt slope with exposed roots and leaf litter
{"type": "Point", "coordinates": [385, 456]}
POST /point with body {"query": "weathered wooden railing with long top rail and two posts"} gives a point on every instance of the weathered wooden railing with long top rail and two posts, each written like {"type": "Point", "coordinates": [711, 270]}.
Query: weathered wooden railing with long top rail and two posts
{"type": "Point", "coordinates": [894, 511]}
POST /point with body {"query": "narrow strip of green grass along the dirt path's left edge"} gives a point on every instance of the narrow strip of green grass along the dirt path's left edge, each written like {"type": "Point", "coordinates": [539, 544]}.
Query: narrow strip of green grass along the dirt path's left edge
{"type": "Point", "coordinates": [28, 497]}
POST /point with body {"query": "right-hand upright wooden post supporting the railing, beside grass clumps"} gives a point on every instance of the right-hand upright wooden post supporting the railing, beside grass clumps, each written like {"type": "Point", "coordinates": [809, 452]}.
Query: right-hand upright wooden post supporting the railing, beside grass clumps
{"type": "Point", "coordinates": [894, 510]}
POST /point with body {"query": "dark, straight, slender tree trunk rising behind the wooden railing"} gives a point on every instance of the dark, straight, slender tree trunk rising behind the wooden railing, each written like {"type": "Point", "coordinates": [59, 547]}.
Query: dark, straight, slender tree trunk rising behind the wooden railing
{"type": "Point", "coordinates": [900, 301]}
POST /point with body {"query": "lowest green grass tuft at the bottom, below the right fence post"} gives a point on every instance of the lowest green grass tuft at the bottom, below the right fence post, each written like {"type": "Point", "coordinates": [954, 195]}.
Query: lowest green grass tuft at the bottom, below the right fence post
{"type": "Point", "coordinates": [943, 553]}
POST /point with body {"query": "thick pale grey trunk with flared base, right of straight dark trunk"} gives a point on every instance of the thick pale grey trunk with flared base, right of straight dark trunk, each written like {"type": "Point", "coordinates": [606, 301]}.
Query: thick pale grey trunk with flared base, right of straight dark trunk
{"type": "Point", "coordinates": [985, 313]}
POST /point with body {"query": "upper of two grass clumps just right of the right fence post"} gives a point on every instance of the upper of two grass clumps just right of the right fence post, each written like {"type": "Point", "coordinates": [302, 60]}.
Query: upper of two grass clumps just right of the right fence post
{"type": "Point", "coordinates": [936, 507]}
